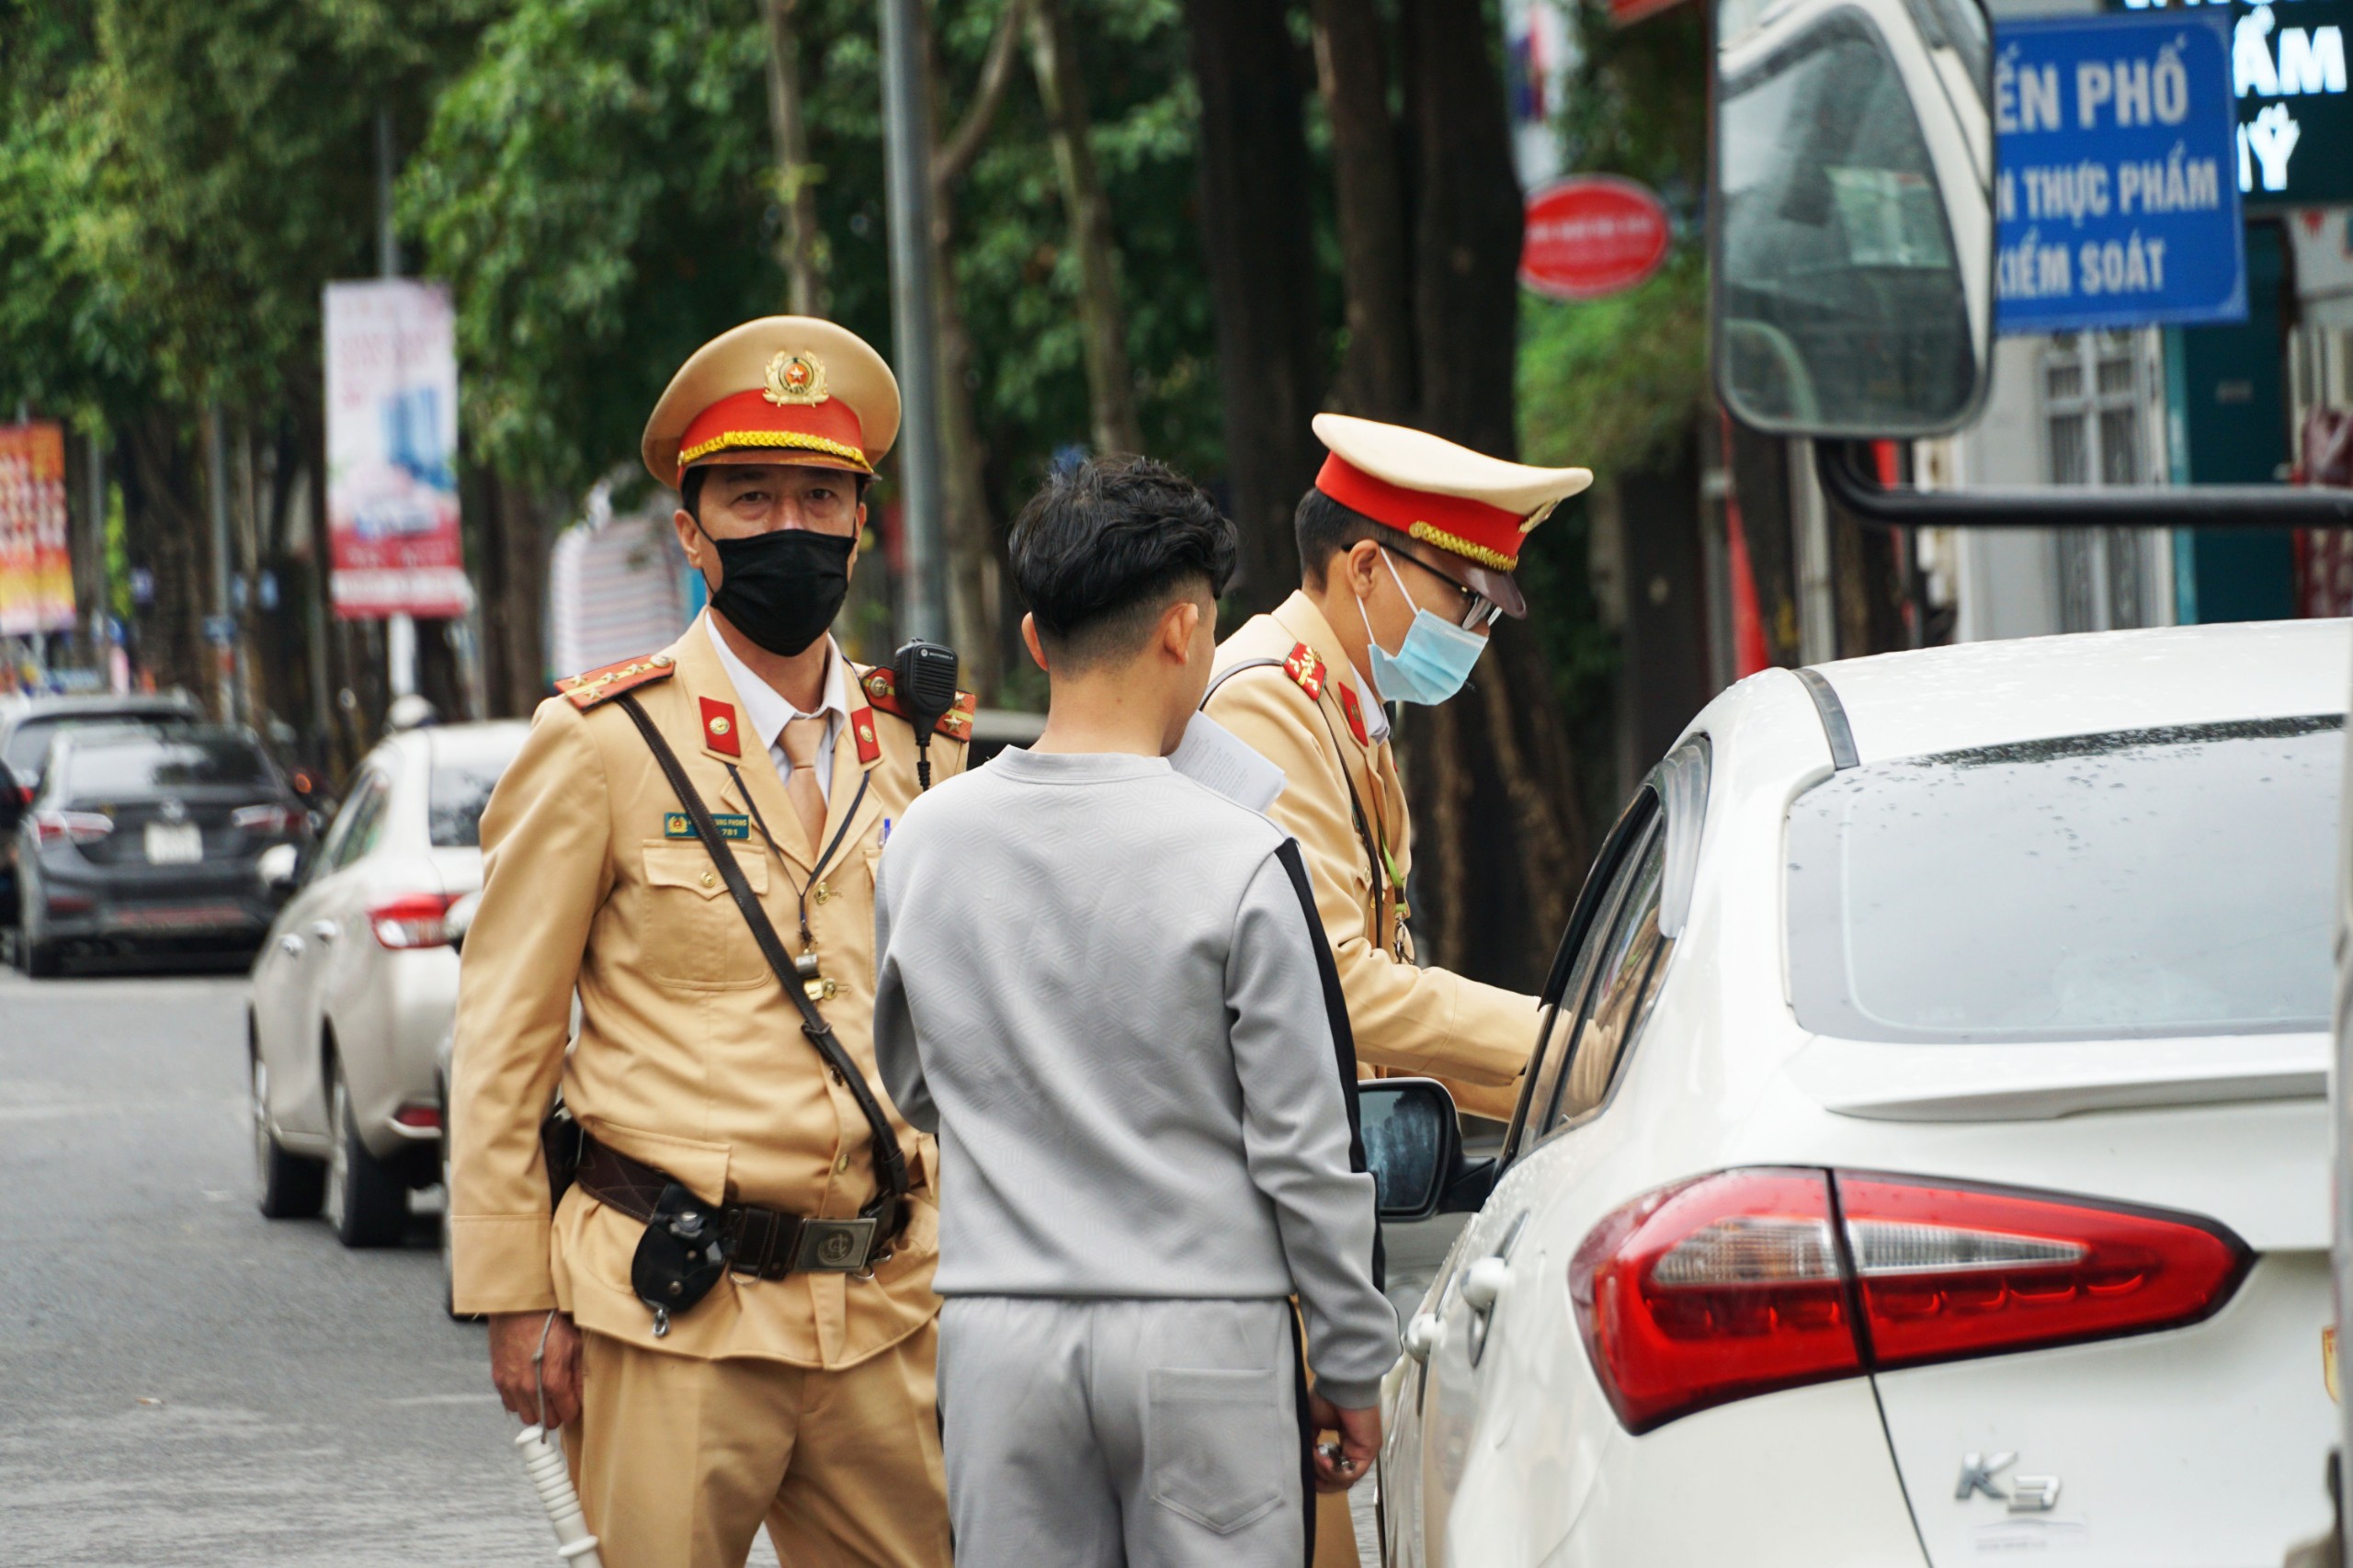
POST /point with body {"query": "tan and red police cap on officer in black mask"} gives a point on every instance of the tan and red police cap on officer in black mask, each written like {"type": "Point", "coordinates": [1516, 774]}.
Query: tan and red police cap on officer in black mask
{"type": "Point", "coordinates": [782, 390]}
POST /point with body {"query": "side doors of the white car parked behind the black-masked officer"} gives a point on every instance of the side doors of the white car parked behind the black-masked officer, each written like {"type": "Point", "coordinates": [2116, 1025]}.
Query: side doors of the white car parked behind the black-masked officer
{"type": "Point", "coordinates": [288, 992]}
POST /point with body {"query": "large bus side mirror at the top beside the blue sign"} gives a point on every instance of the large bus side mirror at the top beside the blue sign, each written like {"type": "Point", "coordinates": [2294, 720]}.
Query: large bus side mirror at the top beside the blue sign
{"type": "Point", "coordinates": [1853, 218]}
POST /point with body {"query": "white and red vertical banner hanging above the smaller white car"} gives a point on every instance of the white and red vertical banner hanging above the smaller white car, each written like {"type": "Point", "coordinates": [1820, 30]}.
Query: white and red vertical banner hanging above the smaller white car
{"type": "Point", "coordinates": [392, 451]}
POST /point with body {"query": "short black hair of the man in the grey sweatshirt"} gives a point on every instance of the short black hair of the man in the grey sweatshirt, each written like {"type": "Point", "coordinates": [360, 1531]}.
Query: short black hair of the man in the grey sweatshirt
{"type": "Point", "coordinates": [1107, 545]}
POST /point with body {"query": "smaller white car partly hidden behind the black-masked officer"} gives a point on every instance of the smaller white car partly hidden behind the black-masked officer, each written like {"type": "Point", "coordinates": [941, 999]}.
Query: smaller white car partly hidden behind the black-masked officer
{"type": "Point", "coordinates": [354, 988]}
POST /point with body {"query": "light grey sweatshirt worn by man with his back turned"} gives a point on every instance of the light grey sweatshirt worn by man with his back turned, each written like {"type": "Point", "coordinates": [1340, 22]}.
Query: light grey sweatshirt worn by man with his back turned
{"type": "Point", "coordinates": [1095, 983]}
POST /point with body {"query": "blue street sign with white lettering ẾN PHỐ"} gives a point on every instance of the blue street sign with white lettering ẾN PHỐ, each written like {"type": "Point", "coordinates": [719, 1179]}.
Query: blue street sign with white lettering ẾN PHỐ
{"type": "Point", "coordinates": [2117, 173]}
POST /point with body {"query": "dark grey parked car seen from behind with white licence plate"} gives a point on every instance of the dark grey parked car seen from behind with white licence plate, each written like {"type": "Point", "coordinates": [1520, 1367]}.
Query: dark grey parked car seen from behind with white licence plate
{"type": "Point", "coordinates": [154, 837]}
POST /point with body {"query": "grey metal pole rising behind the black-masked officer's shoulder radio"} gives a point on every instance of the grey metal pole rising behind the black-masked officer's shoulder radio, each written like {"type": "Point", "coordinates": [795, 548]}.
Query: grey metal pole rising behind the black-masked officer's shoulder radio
{"type": "Point", "coordinates": [907, 138]}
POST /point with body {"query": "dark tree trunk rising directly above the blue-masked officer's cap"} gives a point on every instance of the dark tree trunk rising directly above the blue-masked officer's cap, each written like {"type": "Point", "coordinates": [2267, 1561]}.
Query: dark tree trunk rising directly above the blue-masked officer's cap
{"type": "Point", "coordinates": [1352, 72]}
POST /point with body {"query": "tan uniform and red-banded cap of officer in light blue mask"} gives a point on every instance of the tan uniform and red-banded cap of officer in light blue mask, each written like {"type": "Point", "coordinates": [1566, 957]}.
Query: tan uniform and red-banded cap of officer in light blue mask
{"type": "Point", "coordinates": [1286, 686]}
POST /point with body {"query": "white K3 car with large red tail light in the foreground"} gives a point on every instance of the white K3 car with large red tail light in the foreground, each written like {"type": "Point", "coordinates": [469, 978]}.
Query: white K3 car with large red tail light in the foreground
{"type": "Point", "coordinates": [1928, 1157]}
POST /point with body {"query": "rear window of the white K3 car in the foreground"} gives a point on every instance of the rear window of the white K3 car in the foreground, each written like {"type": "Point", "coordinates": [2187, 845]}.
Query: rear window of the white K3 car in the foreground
{"type": "Point", "coordinates": [2100, 886]}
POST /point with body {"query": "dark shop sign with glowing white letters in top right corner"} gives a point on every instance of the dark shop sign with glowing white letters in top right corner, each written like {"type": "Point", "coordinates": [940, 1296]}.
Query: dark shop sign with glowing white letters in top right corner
{"type": "Point", "coordinates": [2295, 102]}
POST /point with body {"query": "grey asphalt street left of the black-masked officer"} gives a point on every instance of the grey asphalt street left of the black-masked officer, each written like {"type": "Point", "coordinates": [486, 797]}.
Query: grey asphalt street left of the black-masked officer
{"type": "Point", "coordinates": [185, 1381]}
